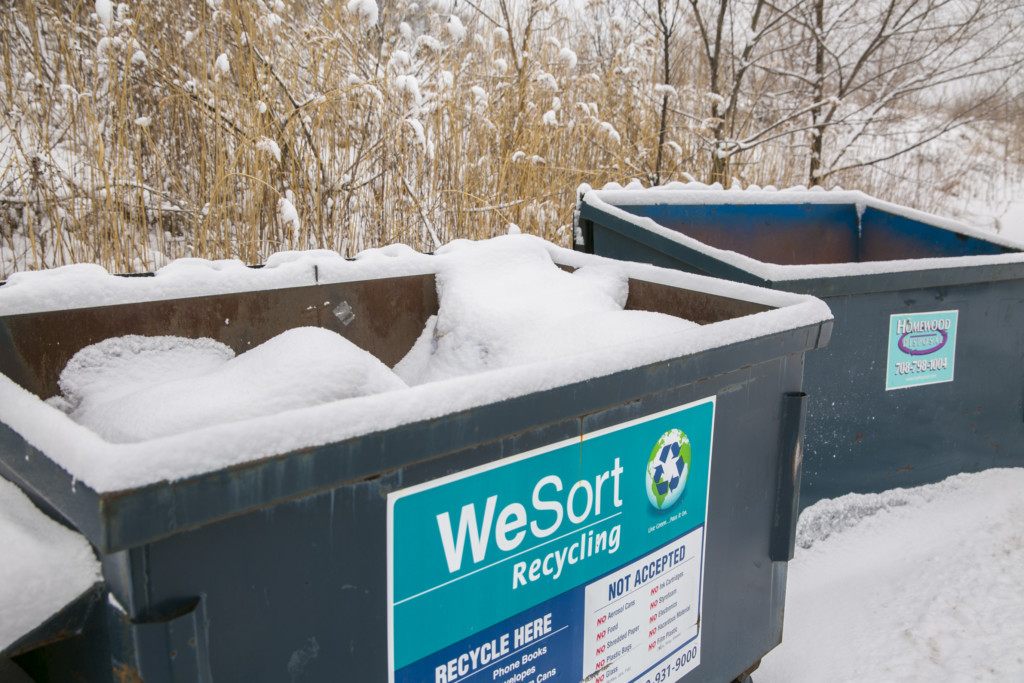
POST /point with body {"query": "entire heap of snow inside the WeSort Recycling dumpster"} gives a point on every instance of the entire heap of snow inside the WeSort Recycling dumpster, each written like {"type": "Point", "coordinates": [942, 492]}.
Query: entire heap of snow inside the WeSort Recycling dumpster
{"type": "Point", "coordinates": [495, 312]}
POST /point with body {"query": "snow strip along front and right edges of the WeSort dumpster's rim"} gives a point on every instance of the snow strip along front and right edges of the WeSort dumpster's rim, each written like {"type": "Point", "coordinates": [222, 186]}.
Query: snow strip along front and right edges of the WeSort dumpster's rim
{"type": "Point", "coordinates": [72, 445]}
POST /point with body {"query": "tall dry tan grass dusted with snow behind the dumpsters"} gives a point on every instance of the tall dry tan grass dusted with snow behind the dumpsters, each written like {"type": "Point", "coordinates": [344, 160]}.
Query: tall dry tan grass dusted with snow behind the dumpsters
{"type": "Point", "coordinates": [236, 130]}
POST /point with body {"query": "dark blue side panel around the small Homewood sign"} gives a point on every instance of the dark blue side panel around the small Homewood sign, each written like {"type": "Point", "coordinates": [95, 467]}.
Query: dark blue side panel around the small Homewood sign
{"type": "Point", "coordinates": [863, 439]}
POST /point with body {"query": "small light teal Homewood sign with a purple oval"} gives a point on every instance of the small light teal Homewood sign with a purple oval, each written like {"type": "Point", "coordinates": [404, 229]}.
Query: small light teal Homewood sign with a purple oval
{"type": "Point", "coordinates": [922, 350]}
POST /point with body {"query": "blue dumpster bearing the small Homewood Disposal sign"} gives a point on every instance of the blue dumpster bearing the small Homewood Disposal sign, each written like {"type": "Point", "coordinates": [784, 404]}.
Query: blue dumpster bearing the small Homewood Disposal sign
{"type": "Point", "coordinates": [924, 377]}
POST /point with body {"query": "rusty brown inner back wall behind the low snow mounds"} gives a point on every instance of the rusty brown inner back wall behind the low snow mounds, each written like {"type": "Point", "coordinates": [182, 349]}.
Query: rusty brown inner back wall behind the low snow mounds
{"type": "Point", "coordinates": [385, 317]}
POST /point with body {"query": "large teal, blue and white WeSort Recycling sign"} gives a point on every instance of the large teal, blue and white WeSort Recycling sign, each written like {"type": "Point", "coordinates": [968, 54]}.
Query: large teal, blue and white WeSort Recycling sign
{"type": "Point", "coordinates": [580, 561]}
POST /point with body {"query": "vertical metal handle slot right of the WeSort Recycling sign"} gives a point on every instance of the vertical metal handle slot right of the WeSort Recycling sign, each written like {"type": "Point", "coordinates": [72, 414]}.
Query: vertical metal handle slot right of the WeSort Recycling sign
{"type": "Point", "coordinates": [791, 462]}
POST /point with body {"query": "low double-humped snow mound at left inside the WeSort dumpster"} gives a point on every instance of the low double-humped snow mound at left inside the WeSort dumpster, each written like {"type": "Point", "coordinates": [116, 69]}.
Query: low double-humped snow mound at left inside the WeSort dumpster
{"type": "Point", "coordinates": [138, 389]}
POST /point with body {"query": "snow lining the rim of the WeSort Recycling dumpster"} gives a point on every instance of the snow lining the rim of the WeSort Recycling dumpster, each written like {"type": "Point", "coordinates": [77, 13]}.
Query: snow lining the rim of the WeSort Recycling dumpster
{"type": "Point", "coordinates": [109, 467]}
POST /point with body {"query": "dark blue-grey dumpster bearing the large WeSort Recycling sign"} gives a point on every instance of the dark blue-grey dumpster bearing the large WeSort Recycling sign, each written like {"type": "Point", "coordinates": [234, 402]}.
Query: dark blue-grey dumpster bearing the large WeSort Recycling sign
{"type": "Point", "coordinates": [605, 517]}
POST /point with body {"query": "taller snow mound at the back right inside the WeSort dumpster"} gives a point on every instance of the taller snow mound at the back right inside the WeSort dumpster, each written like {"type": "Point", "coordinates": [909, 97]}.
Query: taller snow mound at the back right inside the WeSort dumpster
{"type": "Point", "coordinates": [502, 309]}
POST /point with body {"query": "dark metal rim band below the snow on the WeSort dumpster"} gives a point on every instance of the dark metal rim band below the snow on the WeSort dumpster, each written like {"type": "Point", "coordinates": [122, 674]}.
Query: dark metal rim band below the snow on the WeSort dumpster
{"type": "Point", "coordinates": [95, 514]}
